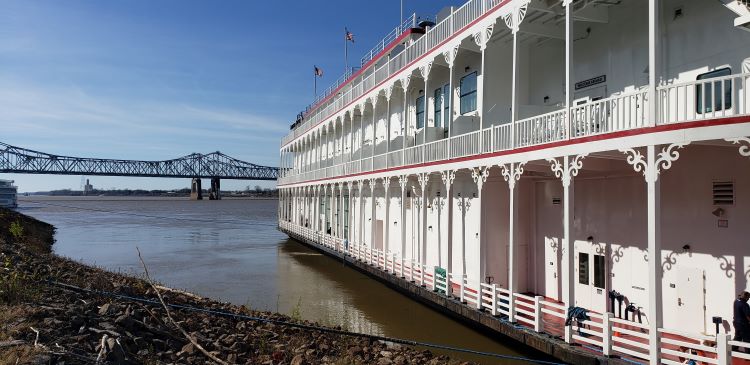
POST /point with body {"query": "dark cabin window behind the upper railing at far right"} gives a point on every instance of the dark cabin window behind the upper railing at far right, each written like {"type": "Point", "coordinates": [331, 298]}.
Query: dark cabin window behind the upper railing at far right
{"type": "Point", "coordinates": [718, 93]}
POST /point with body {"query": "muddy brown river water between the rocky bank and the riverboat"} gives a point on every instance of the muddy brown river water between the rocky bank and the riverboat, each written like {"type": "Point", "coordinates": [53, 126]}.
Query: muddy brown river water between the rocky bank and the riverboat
{"type": "Point", "coordinates": [230, 250]}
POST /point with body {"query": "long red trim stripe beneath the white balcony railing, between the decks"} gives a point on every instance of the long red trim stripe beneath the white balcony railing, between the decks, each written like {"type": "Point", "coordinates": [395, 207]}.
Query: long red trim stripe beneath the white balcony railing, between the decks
{"type": "Point", "coordinates": [599, 137]}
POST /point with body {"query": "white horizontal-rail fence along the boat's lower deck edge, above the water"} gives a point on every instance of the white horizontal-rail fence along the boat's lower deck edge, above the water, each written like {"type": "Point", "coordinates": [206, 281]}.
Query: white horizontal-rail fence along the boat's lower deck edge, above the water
{"type": "Point", "coordinates": [602, 332]}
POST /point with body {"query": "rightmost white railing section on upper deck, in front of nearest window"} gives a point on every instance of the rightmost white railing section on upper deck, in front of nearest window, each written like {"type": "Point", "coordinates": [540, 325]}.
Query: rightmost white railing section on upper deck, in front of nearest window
{"type": "Point", "coordinates": [704, 99]}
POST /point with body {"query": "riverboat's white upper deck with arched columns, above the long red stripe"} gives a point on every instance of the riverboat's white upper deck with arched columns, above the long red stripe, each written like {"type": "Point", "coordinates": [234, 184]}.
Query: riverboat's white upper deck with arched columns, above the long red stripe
{"type": "Point", "coordinates": [392, 119]}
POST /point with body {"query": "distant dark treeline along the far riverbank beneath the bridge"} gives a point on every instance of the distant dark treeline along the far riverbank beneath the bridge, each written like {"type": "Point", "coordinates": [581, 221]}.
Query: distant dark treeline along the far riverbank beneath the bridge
{"type": "Point", "coordinates": [257, 192]}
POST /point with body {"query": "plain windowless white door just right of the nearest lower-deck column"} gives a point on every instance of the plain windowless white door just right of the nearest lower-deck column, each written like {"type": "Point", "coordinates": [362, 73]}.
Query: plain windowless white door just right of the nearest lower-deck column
{"type": "Point", "coordinates": [690, 304]}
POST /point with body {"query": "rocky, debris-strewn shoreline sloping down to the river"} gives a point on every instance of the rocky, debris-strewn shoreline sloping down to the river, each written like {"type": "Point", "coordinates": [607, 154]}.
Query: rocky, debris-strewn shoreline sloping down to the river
{"type": "Point", "coordinates": [42, 323]}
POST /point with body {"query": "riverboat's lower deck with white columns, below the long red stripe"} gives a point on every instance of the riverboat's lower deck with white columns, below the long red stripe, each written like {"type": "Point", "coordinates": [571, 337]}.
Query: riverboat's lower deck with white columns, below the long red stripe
{"type": "Point", "coordinates": [529, 234]}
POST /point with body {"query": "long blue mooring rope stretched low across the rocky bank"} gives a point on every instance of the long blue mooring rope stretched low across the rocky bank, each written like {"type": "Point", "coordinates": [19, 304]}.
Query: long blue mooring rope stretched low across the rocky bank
{"type": "Point", "coordinates": [299, 325]}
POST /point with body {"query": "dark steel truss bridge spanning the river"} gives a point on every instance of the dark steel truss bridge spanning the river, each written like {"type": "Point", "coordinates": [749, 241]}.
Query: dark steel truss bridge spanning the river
{"type": "Point", "coordinates": [214, 166]}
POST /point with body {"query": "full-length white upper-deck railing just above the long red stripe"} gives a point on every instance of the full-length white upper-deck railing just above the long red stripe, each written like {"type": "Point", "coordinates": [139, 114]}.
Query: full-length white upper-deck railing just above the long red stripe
{"type": "Point", "coordinates": [677, 103]}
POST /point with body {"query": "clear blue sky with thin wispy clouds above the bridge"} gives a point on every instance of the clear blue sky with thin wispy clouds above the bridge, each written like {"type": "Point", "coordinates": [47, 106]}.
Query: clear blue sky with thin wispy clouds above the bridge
{"type": "Point", "coordinates": [160, 79]}
